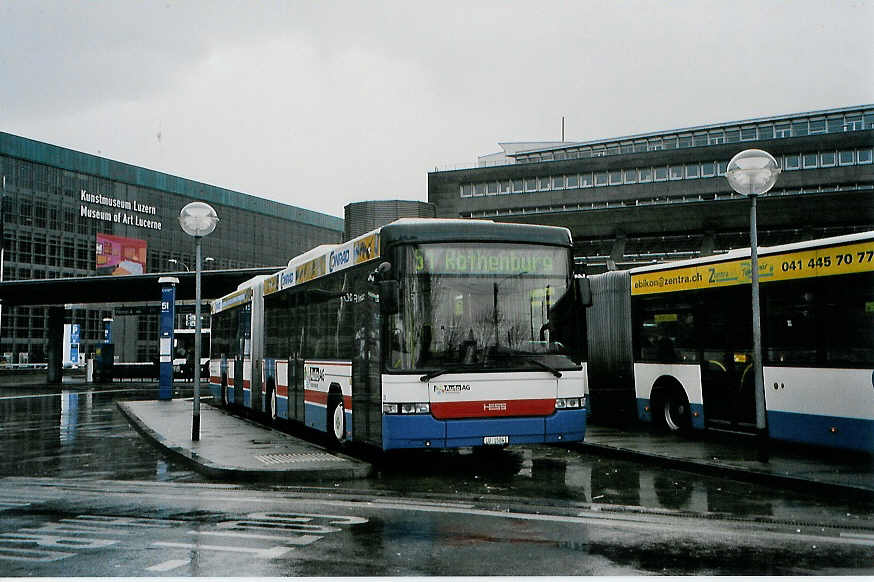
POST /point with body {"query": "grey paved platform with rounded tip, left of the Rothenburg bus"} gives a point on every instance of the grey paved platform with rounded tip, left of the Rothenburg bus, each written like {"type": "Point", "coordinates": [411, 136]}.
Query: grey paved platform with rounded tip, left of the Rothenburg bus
{"type": "Point", "coordinates": [235, 448]}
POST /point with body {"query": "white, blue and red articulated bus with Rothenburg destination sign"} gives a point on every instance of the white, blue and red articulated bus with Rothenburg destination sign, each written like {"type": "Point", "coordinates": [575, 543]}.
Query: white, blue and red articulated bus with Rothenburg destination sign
{"type": "Point", "coordinates": [422, 333]}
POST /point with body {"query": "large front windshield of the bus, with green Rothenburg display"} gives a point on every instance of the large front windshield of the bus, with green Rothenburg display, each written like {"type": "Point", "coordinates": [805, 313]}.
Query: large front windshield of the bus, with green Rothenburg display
{"type": "Point", "coordinates": [478, 306]}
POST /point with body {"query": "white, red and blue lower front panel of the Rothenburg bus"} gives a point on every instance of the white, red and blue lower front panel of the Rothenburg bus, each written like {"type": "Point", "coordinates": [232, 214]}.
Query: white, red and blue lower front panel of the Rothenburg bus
{"type": "Point", "coordinates": [469, 410]}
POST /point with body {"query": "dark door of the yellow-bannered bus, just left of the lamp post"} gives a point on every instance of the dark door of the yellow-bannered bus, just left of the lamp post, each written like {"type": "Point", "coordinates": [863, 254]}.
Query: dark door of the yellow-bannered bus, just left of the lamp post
{"type": "Point", "coordinates": [726, 342]}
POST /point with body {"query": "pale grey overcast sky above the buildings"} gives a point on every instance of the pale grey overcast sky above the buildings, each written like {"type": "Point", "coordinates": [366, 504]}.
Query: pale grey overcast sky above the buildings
{"type": "Point", "coordinates": [318, 104]}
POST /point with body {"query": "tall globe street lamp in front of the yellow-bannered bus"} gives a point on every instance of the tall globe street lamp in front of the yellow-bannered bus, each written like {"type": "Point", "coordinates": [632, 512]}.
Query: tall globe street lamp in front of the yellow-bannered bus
{"type": "Point", "coordinates": [751, 173]}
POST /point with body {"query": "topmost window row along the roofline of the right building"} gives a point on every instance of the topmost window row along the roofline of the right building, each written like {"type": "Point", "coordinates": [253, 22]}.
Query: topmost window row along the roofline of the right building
{"type": "Point", "coordinates": [814, 125]}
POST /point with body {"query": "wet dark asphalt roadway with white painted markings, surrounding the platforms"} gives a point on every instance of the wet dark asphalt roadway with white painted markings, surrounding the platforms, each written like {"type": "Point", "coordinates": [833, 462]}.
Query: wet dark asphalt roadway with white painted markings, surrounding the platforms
{"type": "Point", "coordinates": [82, 493]}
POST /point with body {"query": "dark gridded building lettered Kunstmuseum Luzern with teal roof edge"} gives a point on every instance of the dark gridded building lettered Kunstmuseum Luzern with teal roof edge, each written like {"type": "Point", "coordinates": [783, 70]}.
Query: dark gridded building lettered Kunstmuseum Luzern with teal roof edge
{"type": "Point", "coordinates": [70, 214]}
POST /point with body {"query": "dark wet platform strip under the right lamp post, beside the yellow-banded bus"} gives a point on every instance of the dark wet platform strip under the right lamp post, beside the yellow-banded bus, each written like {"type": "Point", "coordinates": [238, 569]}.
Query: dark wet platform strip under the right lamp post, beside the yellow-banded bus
{"type": "Point", "coordinates": [739, 456]}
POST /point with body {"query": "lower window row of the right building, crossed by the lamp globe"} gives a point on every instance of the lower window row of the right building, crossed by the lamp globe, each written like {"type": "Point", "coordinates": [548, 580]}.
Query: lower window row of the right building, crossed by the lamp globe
{"type": "Point", "coordinates": [789, 162]}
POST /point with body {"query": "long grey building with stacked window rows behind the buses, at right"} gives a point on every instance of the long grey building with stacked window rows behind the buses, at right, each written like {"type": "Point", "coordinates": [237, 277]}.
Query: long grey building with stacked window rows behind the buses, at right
{"type": "Point", "coordinates": [663, 195]}
